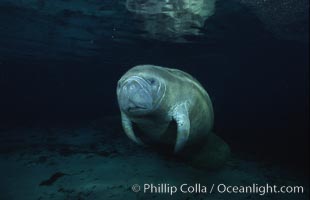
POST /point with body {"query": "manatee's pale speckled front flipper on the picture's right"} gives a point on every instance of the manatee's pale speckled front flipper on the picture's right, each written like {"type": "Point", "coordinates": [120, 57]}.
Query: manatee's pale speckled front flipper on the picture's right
{"type": "Point", "coordinates": [180, 115]}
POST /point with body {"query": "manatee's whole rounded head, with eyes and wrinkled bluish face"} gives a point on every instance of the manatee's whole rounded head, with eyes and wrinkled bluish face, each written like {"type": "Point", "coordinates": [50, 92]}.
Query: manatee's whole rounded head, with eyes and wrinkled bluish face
{"type": "Point", "coordinates": [140, 92]}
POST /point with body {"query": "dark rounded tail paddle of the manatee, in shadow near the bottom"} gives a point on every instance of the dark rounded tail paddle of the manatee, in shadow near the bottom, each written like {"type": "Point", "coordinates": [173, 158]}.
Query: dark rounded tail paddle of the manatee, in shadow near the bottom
{"type": "Point", "coordinates": [213, 154]}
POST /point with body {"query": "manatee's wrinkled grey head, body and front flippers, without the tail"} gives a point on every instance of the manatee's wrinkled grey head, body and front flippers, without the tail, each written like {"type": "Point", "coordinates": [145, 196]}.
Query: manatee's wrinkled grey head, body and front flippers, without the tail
{"type": "Point", "coordinates": [152, 97]}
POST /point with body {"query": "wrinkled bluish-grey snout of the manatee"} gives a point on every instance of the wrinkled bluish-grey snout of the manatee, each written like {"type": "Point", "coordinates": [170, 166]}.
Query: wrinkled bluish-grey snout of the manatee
{"type": "Point", "coordinates": [134, 95]}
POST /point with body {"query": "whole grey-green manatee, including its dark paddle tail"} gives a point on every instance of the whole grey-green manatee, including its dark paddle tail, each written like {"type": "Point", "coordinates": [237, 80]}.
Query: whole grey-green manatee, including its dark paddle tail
{"type": "Point", "coordinates": [169, 109]}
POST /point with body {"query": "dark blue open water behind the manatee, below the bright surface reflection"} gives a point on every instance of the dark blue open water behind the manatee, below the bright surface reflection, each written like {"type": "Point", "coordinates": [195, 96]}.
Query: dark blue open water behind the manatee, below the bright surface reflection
{"type": "Point", "coordinates": [61, 67]}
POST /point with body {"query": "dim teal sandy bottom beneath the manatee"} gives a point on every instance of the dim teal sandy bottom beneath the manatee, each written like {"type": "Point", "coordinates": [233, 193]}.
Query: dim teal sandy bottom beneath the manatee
{"type": "Point", "coordinates": [96, 161]}
